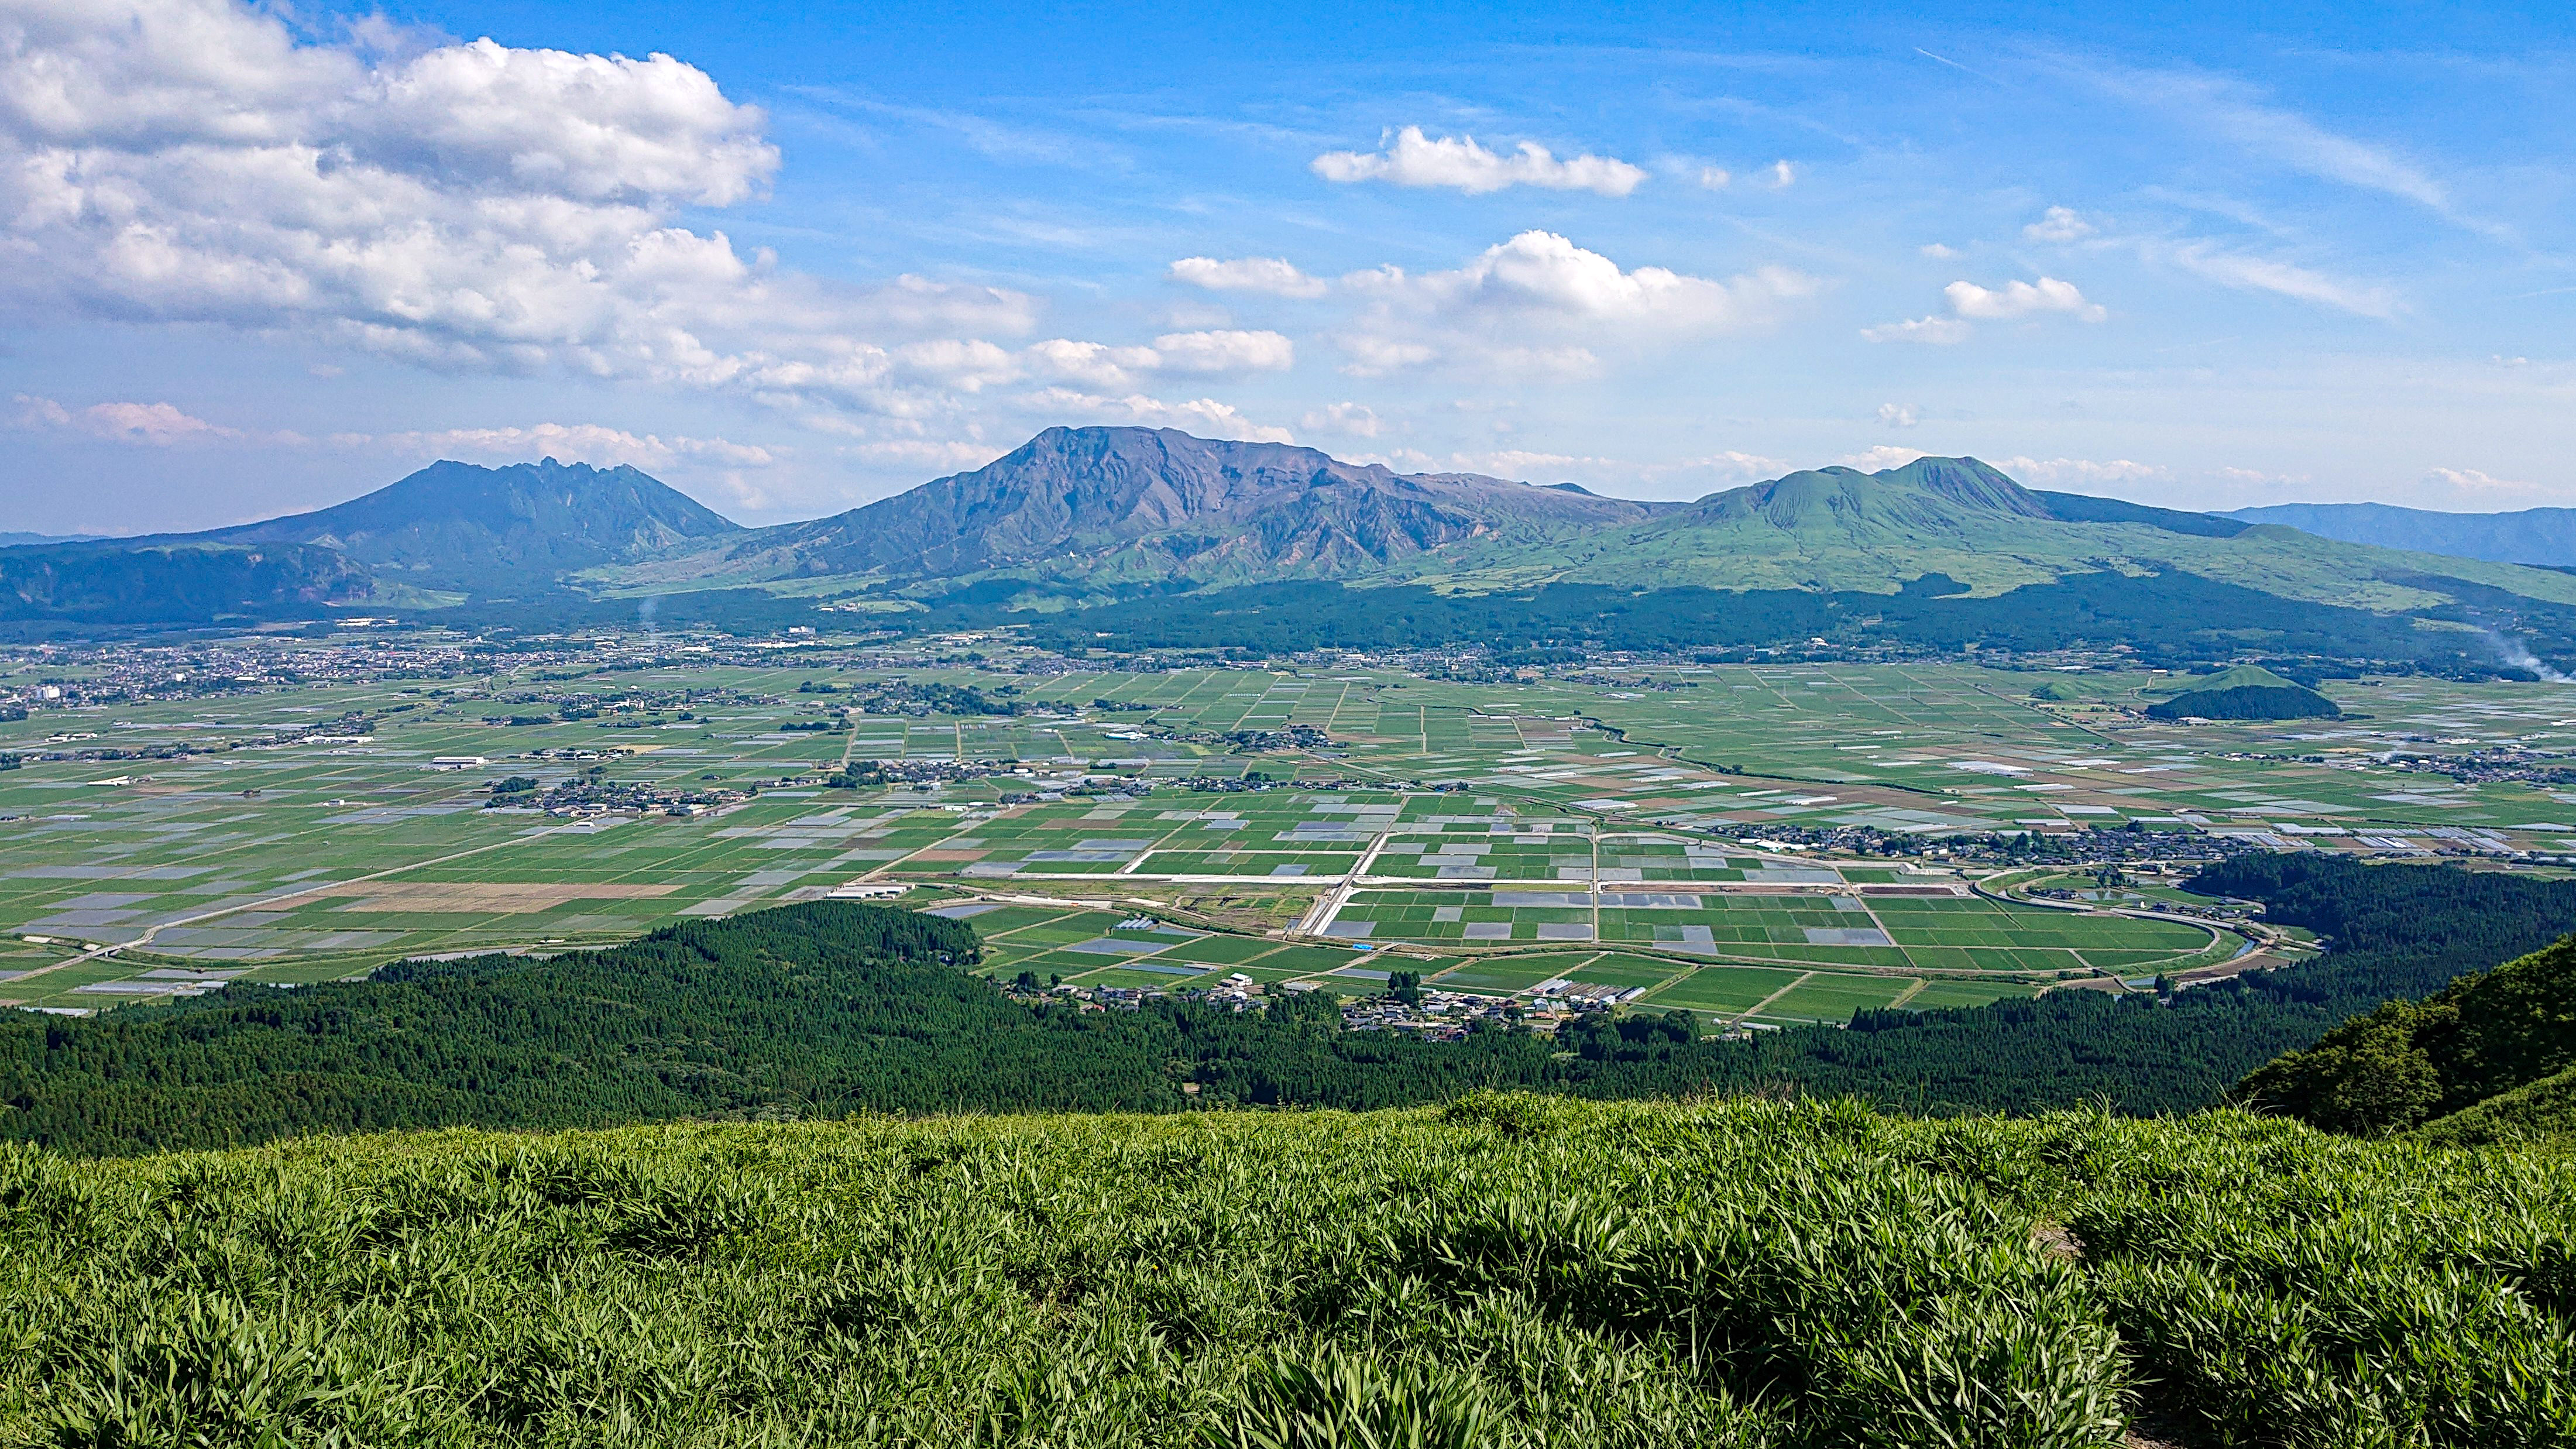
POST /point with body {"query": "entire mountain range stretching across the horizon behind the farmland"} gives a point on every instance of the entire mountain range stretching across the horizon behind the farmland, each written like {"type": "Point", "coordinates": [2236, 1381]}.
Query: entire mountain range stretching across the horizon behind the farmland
{"type": "Point", "coordinates": [1099, 514]}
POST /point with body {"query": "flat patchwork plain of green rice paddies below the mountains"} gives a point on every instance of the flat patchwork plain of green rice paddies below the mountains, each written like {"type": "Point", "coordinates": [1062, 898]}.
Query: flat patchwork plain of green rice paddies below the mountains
{"type": "Point", "coordinates": [1470, 824]}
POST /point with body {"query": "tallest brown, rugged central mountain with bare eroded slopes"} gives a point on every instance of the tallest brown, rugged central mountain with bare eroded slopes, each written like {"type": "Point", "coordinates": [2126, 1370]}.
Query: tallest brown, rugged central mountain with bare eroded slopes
{"type": "Point", "coordinates": [1153, 504]}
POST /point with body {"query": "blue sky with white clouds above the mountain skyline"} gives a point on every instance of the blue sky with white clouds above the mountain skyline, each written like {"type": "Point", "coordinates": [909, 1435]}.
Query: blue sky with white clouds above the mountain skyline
{"type": "Point", "coordinates": [267, 259]}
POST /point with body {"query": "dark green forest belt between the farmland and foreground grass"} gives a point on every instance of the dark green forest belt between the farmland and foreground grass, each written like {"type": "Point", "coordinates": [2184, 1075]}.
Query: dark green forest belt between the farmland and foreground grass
{"type": "Point", "coordinates": [836, 1007]}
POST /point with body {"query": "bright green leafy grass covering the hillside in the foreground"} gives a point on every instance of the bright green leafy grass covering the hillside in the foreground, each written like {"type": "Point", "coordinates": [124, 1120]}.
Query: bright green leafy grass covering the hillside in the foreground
{"type": "Point", "coordinates": [1498, 1272]}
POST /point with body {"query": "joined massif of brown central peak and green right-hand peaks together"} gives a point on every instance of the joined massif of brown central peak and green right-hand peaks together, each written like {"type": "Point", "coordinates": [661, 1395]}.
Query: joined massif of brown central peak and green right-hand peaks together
{"type": "Point", "coordinates": [1086, 512]}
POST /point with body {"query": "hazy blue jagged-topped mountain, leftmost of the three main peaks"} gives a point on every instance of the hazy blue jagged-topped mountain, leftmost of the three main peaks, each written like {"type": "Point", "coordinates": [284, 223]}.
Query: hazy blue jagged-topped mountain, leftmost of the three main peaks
{"type": "Point", "coordinates": [496, 527]}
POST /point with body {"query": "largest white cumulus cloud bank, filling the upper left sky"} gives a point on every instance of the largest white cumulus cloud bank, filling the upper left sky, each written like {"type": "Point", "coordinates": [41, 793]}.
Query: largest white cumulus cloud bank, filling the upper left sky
{"type": "Point", "coordinates": [470, 208]}
